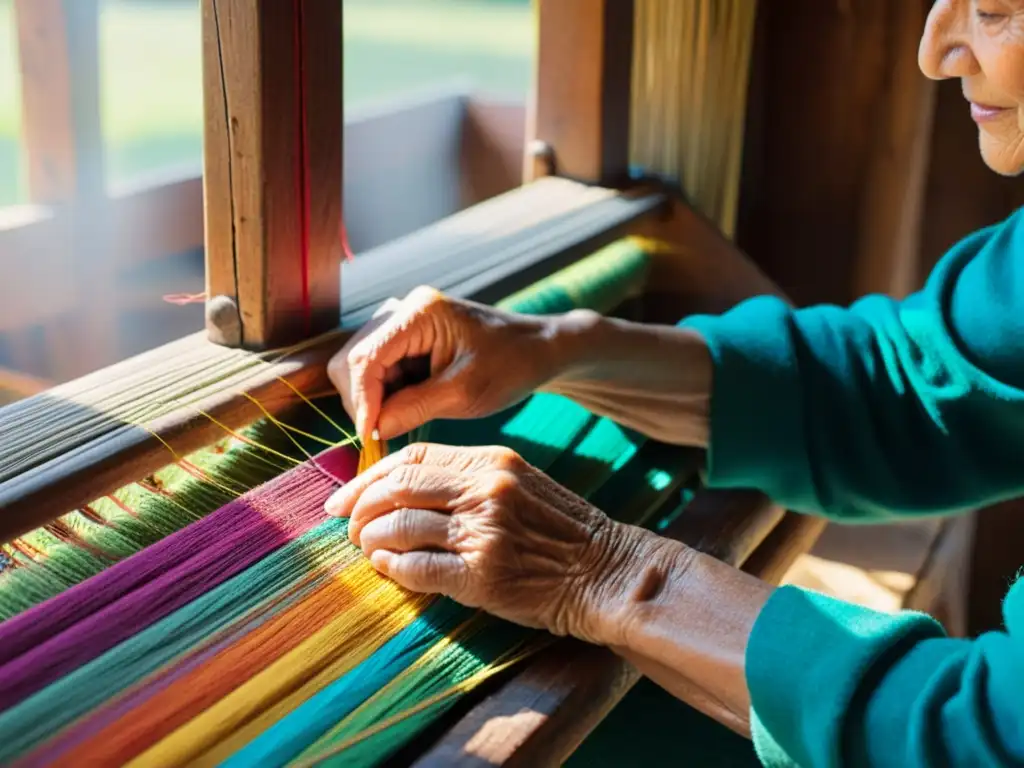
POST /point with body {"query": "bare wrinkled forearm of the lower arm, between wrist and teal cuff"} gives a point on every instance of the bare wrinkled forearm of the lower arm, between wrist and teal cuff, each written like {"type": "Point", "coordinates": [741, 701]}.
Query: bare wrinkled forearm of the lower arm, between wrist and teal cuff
{"type": "Point", "coordinates": [684, 618]}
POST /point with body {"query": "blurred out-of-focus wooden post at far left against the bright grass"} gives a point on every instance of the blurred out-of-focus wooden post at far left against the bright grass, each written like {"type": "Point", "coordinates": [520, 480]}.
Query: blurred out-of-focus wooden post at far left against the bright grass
{"type": "Point", "coordinates": [59, 53]}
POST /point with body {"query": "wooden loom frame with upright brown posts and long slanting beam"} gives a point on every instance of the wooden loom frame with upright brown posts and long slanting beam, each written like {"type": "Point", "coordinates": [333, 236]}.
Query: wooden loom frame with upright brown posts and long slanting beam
{"type": "Point", "coordinates": [273, 191]}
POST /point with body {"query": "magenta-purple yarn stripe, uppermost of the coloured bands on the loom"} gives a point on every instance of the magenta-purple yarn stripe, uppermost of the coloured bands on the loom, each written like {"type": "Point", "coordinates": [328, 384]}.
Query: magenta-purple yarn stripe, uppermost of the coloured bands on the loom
{"type": "Point", "coordinates": [54, 638]}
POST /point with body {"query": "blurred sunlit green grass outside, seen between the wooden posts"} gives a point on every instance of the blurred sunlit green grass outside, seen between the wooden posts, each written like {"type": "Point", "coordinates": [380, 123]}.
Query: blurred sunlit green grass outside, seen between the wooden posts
{"type": "Point", "coordinates": [151, 71]}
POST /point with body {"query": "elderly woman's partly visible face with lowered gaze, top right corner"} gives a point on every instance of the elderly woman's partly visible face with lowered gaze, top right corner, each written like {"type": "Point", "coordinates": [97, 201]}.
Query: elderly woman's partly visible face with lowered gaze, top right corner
{"type": "Point", "coordinates": [983, 44]}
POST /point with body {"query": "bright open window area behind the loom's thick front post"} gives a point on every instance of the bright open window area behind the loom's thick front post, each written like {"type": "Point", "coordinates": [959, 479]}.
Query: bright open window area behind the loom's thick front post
{"type": "Point", "coordinates": [435, 95]}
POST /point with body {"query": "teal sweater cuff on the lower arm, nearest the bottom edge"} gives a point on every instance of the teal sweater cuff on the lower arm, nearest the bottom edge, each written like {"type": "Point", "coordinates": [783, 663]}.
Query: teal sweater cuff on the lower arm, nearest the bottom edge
{"type": "Point", "coordinates": [801, 697]}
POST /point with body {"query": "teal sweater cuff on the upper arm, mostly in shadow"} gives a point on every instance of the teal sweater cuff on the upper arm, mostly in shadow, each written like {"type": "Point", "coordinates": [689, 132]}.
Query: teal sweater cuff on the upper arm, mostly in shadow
{"type": "Point", "coordinates": [757, 423]}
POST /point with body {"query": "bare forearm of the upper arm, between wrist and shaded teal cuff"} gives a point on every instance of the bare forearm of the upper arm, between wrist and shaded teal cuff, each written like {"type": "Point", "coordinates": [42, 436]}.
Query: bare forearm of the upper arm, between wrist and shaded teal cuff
{"type": "Point", "coordinates": [655, 379]}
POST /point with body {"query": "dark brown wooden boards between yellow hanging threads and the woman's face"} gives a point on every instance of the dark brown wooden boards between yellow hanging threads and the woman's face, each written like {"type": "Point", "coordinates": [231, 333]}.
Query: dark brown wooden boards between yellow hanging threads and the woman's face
{"type": "Point", "coordinates": [842, 148]}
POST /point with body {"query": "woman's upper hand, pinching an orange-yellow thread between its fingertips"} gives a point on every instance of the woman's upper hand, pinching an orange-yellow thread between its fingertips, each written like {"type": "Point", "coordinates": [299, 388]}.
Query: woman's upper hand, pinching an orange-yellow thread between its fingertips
{"type": "Point", "coordinates": [481, 361]}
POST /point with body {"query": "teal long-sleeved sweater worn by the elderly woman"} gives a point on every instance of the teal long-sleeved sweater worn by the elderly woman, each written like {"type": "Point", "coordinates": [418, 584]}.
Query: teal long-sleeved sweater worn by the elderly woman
{"type": "Point", "coordinates": [886, 410]}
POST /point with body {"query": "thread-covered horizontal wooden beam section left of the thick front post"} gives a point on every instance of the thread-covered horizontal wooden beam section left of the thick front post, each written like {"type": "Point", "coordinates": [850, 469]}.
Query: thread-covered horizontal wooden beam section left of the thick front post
{"type": "Point", "coordinates": [99, 451]}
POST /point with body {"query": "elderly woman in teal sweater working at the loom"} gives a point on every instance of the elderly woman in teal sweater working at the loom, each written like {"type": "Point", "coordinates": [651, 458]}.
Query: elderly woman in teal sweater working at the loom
{"type": "Point", "coordinates": [881, 411]}
